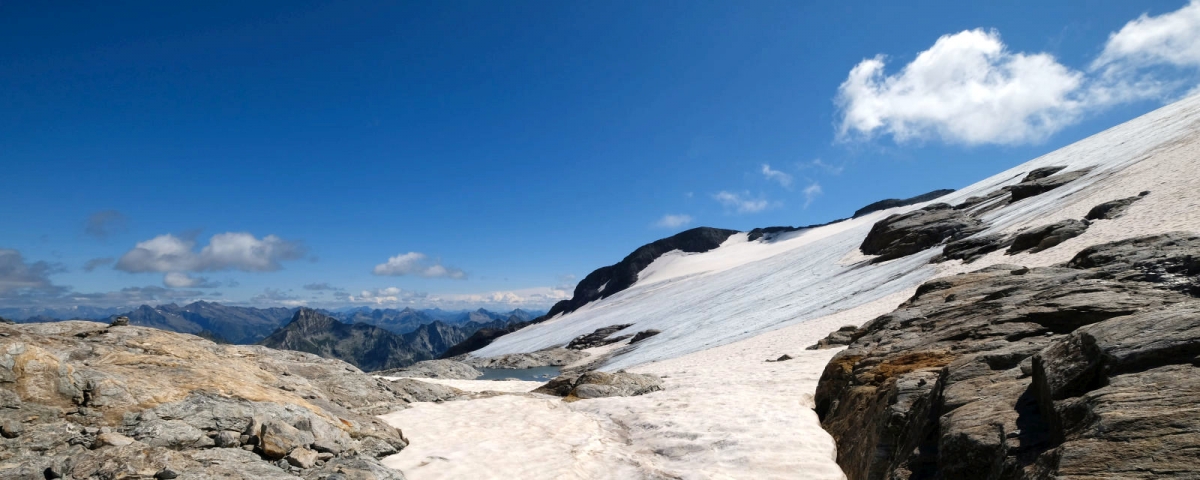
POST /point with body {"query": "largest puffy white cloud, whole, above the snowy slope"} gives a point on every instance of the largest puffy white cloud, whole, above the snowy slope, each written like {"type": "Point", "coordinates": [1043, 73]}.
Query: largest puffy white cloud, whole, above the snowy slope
{"type": "Point", "coordinates": [968, 89]}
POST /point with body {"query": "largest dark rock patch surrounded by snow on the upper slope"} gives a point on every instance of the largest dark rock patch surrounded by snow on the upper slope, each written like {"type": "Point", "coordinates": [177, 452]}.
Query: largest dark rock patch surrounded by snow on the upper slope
{"type": "Point", "coordinates": [904, 235]}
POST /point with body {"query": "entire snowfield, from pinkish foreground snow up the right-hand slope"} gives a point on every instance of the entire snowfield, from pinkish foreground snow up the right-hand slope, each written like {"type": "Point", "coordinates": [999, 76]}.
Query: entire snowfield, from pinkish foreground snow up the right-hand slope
{"type": "Point", "coordinates": [724, 412]}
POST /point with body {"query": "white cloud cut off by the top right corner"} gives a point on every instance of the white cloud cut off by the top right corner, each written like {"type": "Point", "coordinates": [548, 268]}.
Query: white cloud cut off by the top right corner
{"type": "Point", "coordinates": [1172, 39]}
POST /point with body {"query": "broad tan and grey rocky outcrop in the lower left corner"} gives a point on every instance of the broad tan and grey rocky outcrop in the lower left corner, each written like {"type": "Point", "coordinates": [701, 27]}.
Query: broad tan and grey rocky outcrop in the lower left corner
{"type": "Point", "coordinates": [91, 401]}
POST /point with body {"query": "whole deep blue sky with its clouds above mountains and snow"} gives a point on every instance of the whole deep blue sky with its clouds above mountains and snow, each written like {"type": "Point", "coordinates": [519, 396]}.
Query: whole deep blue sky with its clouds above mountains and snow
{"type": "Point", "coordinates": [489, 154]}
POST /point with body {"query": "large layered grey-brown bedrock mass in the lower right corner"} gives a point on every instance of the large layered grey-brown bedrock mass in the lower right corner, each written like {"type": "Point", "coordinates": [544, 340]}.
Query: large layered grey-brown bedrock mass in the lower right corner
{"type": "Point", "coordinates": [1087, 370]}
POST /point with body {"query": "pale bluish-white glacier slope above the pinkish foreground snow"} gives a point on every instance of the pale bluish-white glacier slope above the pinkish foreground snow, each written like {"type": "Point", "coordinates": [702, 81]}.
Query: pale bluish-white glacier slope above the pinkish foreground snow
{"type": "Point", "coordinates": [746, 289]}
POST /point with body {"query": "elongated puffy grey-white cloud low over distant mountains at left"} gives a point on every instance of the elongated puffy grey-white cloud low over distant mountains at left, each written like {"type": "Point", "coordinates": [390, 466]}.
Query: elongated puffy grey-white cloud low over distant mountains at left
{"type": "Point", "coordinates": [227, 251]}
